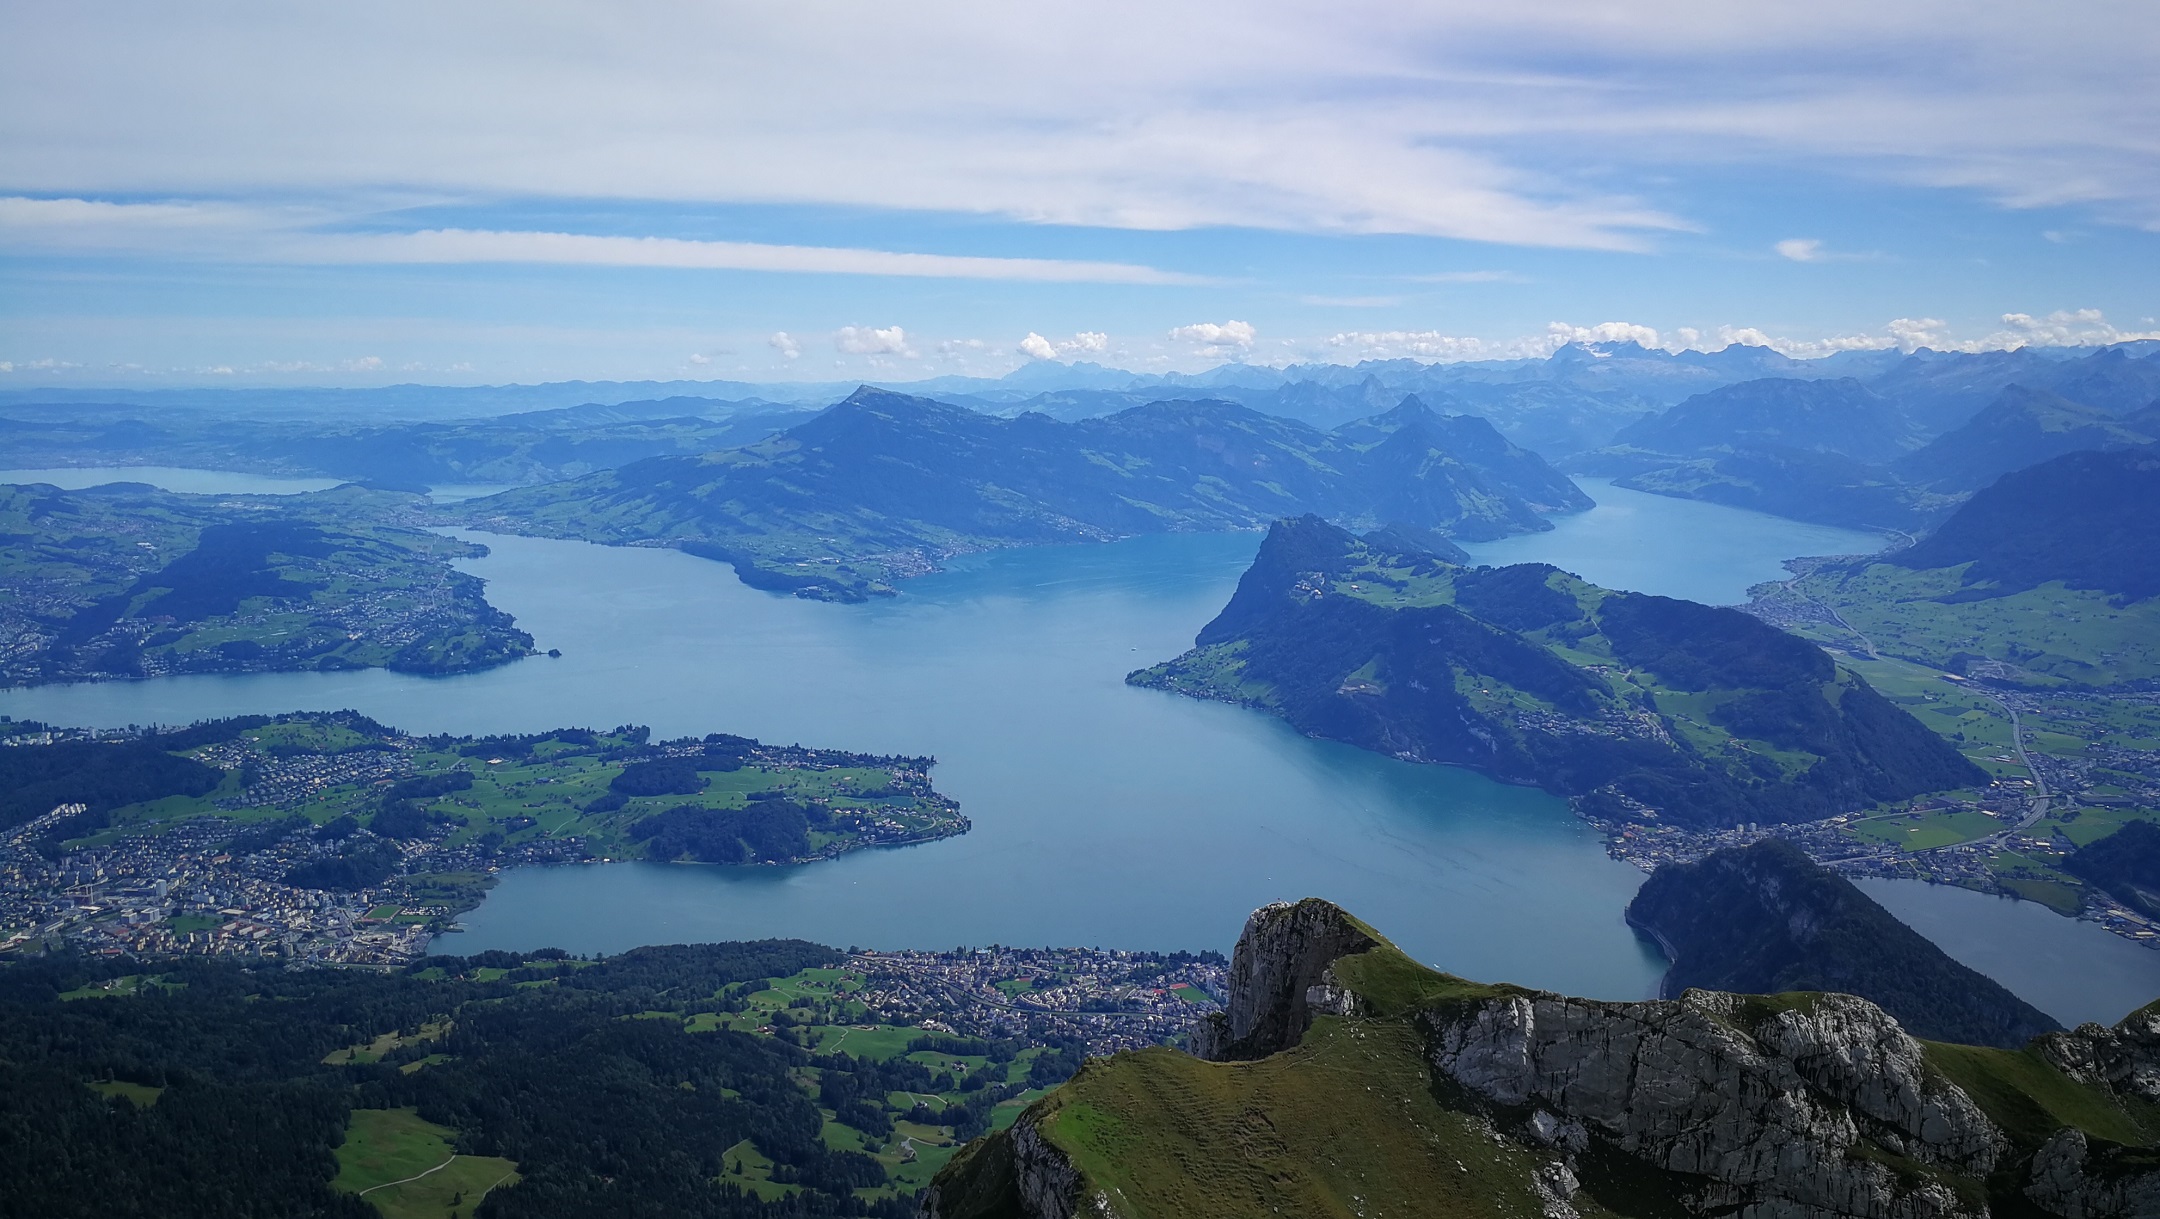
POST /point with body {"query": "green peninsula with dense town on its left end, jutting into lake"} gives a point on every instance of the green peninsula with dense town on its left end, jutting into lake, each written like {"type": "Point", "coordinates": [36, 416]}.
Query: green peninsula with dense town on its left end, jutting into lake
{"type": "Point", "coordinates": [334, 840]}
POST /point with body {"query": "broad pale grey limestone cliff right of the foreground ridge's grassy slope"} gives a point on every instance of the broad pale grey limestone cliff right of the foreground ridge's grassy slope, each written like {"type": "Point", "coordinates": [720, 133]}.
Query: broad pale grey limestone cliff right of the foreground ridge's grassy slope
{"type": "Point", "coordinates": [1794, 1116]}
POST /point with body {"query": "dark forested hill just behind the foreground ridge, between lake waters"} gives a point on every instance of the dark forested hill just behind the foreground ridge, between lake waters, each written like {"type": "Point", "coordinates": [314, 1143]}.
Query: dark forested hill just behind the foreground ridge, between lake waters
{"type": "Point", "coordinates": [1768, 920]}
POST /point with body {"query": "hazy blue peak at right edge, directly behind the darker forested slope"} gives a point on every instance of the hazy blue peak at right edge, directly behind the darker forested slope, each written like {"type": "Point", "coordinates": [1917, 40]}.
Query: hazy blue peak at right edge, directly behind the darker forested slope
{"type": "Point", "coordinates": [2023, 427]}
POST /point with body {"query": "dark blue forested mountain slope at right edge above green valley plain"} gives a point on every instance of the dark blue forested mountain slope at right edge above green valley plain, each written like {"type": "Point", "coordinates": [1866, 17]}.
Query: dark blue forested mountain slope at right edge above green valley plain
{"type": "Point", "coordinates": [2088, 520]}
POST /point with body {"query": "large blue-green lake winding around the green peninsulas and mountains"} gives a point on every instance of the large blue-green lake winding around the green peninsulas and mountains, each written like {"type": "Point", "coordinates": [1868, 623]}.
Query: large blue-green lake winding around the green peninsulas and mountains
{"type": "Point", "coordinates": [1103, 814]}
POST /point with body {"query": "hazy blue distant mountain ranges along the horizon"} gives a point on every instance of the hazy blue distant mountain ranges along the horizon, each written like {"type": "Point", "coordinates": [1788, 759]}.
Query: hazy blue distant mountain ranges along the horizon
{"type": "Point", "coordinates": [1863, 455]}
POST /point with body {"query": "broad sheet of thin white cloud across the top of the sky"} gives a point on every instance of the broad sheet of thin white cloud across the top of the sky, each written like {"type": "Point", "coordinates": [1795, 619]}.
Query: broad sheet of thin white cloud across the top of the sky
{"type": "Point", "coordinates": [1450, 118]}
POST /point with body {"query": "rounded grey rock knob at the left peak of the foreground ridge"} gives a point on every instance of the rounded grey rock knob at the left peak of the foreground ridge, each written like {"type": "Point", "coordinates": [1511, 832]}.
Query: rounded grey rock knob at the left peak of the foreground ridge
{"type": "Point", "coordinates": [1280, 963]}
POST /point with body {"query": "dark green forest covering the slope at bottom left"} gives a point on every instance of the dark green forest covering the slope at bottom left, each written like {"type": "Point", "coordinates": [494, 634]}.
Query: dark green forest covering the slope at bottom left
{"type": "Point", "coordinates": [548, 1062]}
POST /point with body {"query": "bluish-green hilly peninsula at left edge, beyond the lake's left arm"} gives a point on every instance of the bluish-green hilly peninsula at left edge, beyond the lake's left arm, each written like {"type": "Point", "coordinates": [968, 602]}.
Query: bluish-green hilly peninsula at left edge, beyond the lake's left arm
{"type": "Point", "coordinates": [126, 582]}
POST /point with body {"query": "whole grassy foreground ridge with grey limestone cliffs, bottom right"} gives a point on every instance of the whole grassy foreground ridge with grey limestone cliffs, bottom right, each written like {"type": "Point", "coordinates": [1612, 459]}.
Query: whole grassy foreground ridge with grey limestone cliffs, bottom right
{"type": "Point", "coordinates": [1375, 1086]}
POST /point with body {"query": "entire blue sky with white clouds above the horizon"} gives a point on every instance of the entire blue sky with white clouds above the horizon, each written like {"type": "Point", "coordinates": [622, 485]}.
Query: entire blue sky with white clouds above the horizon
{"type": "Point", "coordinates": [249, 193]}
